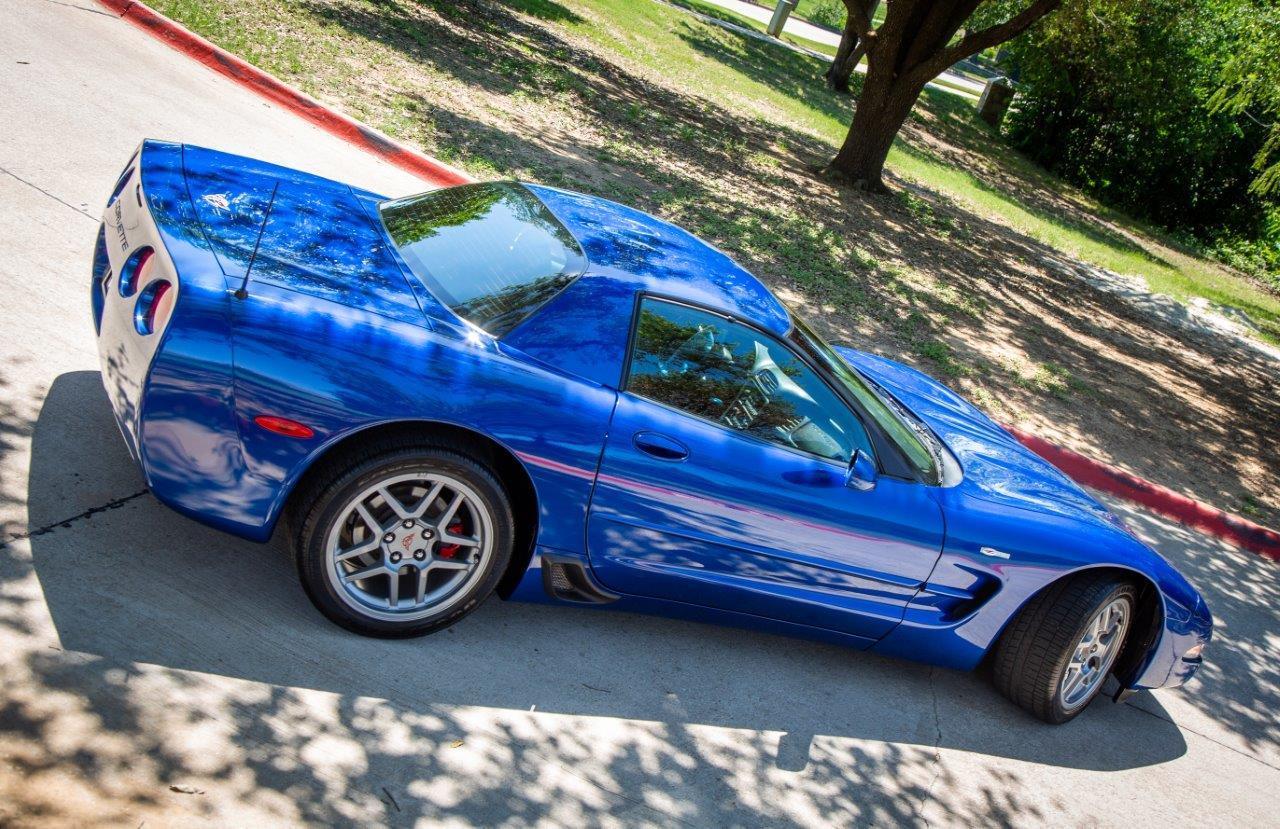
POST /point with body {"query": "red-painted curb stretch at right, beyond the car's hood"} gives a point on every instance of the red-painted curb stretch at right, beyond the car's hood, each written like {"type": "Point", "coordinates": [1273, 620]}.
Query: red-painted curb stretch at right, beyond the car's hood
{"type": "Point", "coordinates": [1090, 473]}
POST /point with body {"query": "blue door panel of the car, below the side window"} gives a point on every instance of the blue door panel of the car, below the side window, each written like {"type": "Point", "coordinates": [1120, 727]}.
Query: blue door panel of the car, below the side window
{"type": "Point", "coordinates": [746, 525]}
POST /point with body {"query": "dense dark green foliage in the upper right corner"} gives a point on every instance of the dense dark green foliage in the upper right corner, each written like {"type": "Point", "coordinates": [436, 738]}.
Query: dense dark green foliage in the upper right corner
{"type": "Point", "coordinates": [1168, 109]}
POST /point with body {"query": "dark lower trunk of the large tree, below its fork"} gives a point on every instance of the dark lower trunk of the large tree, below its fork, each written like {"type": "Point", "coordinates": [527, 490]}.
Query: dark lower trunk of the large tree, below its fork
{"type": "Point", "coordinates": [883, 107]}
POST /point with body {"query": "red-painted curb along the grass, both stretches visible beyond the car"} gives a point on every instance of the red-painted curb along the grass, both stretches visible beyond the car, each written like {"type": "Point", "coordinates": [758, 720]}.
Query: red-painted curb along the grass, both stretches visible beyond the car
{"type": "Point", "coordinates": [1085, 470]}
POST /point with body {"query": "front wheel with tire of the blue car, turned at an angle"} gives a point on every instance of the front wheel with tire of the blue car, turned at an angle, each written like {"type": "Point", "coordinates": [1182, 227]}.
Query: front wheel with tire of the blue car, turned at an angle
{"type": "Point", "coordinates": [1055, 657]}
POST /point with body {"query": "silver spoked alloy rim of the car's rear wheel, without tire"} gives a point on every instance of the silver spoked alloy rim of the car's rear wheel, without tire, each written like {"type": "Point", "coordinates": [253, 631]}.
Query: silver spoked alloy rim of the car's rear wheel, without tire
{"type": "Point", "coordinates": [409, 547]}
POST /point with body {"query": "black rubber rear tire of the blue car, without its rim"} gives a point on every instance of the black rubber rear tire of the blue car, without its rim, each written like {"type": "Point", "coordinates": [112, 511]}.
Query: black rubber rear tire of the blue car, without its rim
{"type": "Point", "coordinates": [331, 492]}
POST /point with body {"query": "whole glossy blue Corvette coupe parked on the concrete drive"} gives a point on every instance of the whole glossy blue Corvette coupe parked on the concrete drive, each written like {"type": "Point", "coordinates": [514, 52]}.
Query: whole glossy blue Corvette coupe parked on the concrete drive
{"type": "Point", "coordinates": [515, 390]}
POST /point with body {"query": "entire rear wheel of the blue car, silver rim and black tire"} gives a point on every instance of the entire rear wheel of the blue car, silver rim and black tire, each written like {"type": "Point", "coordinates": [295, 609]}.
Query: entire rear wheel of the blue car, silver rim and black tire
{"type": "Point", "coordinates": [406, 543]}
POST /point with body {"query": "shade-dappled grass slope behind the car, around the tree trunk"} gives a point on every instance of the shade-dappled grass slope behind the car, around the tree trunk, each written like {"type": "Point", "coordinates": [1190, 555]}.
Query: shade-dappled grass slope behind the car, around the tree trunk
{"type": "Point", "coordinates": [958, 272]}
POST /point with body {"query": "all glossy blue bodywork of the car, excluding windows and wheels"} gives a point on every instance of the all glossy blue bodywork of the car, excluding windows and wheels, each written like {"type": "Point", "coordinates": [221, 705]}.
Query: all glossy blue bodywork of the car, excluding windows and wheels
{"type": "Point", "coordinates": [336, 333]}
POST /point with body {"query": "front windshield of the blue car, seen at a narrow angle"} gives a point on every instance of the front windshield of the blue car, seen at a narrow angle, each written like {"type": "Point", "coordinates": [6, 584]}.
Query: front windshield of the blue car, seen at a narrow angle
{"type": "Point", "coordinates": [918, 443]}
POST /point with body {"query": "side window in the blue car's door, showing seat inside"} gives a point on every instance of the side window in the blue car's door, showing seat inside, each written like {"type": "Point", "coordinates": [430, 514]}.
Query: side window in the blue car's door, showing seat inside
{"type": "Point", "coordinates": [744, 381]}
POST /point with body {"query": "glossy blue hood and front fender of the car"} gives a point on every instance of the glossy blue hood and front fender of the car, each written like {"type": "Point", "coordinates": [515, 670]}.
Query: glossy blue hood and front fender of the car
{"type": "Point", "coordinates": [1011, 502]}
